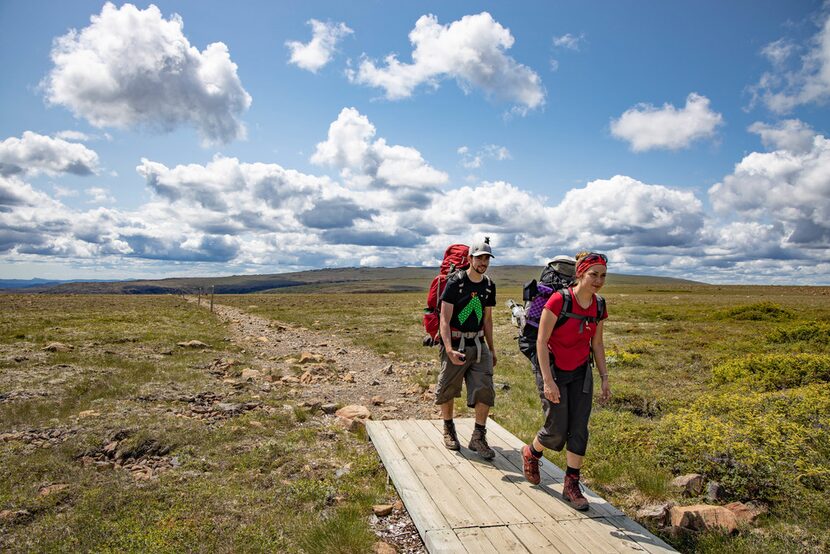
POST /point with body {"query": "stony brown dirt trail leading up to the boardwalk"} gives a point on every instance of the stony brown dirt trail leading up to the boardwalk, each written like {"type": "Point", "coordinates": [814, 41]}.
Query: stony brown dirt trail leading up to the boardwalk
{"type": "Point", "coordinates": [335, 373]}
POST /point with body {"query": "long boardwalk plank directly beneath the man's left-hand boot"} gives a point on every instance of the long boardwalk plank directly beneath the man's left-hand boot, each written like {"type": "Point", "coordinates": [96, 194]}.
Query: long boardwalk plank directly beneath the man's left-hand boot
{"type": "Point", "coordinates": [492, 496]}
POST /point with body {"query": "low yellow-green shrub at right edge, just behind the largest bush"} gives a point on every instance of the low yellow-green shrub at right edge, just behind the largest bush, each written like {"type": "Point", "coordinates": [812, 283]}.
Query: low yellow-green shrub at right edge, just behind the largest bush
{"type": "Point", "coordinates": [775, 371]}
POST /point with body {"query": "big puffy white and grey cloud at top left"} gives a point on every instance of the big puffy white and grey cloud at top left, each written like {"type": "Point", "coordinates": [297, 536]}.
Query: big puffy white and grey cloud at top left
{"type": "Point", "coordinates": [131, 67]}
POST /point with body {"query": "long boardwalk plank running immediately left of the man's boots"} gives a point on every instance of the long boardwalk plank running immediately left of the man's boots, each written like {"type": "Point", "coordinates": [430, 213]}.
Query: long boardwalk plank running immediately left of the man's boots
{"type": "Point", "coordinates": [454, 483]}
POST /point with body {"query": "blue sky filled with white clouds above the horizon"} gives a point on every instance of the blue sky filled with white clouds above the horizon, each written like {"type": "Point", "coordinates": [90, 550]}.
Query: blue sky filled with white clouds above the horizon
{"type": "Point", "coordinates": [210, 138]}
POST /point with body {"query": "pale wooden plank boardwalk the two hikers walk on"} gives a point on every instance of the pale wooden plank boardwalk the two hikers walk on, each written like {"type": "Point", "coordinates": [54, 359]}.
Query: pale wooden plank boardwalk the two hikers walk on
{"type": "Point", "coordinates": [461, 503]}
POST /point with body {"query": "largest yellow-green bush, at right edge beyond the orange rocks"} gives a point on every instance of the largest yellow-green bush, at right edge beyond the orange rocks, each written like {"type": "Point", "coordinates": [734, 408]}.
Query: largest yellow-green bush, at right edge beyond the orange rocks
{"type": "Point", "coordinates": [770, 446]}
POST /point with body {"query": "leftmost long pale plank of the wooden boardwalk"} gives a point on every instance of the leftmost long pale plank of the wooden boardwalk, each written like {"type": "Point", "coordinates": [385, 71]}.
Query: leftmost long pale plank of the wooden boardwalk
{"type": "Point", "coordinates": [424, 513]}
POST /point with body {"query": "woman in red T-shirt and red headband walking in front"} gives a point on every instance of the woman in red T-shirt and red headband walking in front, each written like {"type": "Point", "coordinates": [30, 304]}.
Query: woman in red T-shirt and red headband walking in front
{"type": "Point", "coordinates": [568, 344]}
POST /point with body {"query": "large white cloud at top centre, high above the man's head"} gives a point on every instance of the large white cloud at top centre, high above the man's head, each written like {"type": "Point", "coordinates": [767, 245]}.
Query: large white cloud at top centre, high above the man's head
{"type": "Point", "coordinates": [470, 50]}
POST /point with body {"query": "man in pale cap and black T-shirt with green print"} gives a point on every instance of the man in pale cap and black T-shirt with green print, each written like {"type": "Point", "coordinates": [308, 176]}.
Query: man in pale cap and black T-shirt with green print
{"type": "Point", "coordinates": [466, 317]}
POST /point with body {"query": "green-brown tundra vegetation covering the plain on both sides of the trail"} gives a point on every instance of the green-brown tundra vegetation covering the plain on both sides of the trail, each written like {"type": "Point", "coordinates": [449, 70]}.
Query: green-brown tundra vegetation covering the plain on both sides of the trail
{"type": "Point", "coordinates": [730, 382]}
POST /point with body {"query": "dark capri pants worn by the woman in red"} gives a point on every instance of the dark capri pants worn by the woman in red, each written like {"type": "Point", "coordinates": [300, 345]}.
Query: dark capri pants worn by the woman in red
{"type": "Point", "coordinates": [566, 423]}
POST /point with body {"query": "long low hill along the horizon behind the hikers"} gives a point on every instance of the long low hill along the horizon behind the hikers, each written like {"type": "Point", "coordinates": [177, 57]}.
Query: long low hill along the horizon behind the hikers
{"type": "Point", "coordinates": [398, 279]}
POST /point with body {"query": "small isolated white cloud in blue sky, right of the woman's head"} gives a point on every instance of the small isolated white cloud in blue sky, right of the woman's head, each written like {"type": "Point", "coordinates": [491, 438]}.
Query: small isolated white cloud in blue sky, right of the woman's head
{"type": "Point", "coordinates": [646, 127]}
